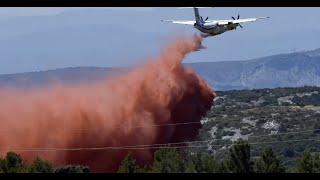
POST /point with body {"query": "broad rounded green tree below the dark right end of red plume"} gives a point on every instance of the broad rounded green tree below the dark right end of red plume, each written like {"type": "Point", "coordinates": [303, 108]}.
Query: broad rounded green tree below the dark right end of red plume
{"type": "Point", "coordinates": [168, 160]}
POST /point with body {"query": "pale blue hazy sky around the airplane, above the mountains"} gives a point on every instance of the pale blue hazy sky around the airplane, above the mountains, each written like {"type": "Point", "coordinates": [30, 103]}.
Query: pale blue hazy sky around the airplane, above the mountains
{"type": "Point", "coordinates": [288, 30]}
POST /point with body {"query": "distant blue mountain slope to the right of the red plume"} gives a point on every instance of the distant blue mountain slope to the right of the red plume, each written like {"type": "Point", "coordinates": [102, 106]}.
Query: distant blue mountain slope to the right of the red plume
{"type": "Point", "coordinates": [284, 70]}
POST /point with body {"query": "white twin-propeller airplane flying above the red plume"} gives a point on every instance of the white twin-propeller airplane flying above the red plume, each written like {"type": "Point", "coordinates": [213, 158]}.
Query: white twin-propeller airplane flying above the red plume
{"type": "Point", "coordinates": [213, 27]}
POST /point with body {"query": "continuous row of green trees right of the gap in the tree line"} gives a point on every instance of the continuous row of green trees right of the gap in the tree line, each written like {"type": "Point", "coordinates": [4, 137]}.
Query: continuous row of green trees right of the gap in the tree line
{"type": "Point", "coordinates": [171, 160]}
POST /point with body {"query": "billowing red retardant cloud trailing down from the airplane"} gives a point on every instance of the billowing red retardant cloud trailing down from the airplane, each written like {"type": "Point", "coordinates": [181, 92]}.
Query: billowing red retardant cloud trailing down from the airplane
{"type": "Point", "coordinates": [119, 111]}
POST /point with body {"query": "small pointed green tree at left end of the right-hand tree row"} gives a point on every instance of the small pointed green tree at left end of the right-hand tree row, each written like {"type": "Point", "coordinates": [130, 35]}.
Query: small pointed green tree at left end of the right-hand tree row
{"type": "Point", "coordinates": [129, 165]}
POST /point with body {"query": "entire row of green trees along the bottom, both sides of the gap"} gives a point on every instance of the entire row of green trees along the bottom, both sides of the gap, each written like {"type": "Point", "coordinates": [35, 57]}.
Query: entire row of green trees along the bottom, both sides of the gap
{"type": "Point", "coordinates": [168, 159]}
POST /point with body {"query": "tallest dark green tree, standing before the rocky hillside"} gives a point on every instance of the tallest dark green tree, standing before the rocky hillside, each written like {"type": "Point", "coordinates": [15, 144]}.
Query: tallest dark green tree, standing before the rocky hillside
{"type": "Point", "coordinates": [240, 160]}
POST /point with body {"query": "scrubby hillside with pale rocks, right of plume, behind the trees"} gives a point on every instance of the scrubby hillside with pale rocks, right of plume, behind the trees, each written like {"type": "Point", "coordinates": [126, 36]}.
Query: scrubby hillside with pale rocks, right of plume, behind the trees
{"type": "Point", "coordinates": [285, 118]}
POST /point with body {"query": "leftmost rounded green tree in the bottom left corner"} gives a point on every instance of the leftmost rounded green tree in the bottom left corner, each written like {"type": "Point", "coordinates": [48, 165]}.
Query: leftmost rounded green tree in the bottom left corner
{"type": "Point", "coordinates": [13, 163]}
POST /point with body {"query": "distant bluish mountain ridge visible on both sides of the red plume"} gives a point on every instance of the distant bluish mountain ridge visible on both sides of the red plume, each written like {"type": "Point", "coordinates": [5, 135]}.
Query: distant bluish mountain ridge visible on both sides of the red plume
{"type": "Point", "coordinates": [281, 70]}
